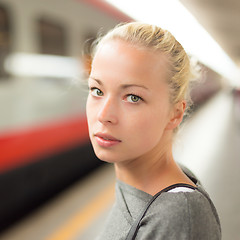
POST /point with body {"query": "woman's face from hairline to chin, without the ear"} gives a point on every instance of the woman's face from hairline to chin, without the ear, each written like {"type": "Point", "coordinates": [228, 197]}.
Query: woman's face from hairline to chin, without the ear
{"type": "Point", "coordinates": [128, 105]}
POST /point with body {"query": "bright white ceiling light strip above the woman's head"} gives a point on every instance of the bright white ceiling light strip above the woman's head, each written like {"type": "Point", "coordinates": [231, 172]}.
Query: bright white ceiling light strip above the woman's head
{"type": "Point", "coordinates": [173, 16]}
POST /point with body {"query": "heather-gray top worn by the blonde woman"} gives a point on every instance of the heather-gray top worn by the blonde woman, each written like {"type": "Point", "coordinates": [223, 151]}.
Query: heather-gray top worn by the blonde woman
{"type": "Point", "coordinates": [188, 215]}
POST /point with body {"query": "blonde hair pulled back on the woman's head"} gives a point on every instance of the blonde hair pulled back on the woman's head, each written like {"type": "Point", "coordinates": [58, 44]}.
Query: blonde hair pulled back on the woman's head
{"type": "Point", "coordinates": [157, 39]}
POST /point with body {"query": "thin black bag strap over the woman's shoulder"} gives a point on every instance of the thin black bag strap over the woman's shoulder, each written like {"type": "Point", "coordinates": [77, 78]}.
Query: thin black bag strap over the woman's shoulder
{"type": "Point", "coordinates": [136, 225]}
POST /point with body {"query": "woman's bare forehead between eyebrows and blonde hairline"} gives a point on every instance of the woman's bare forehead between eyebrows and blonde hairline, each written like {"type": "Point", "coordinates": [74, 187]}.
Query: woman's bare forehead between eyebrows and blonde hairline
{"type": "Point", "coordinates": [122, 61]}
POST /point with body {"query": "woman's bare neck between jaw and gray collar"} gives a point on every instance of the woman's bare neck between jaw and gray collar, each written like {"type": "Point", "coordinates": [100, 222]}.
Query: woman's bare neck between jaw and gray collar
{"type": "Point", "coordinates": [152, 172]}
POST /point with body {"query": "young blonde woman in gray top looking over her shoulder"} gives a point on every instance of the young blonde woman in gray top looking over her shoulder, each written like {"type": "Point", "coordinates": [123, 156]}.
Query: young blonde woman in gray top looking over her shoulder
{"type": "Point", "coordinates": [138, 95]}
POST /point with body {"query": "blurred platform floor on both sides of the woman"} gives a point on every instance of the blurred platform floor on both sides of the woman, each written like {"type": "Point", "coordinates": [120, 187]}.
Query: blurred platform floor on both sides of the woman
{"type": "Point", "coordinates": [209, 145]}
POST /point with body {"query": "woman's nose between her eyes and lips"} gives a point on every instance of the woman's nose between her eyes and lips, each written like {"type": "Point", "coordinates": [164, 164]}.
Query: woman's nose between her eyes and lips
{"type": "Point", "coordinates": [108, 112]}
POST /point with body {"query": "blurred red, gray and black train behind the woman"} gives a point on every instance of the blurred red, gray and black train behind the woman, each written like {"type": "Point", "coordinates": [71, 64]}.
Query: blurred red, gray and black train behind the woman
{"type": "Point", "coordinates": [44, 144]}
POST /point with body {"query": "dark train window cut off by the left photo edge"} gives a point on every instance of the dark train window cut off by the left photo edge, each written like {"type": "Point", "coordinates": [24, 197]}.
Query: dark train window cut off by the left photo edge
{"type": "Point", "coordinates": [5, 41]}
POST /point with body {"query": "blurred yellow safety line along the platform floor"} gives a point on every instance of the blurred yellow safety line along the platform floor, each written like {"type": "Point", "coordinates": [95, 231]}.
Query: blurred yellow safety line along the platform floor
{"type": "Point", "coordinates": [85, 216]}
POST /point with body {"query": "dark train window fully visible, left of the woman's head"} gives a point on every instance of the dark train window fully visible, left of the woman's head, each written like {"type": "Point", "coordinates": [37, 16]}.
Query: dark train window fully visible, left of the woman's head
{"type": "Point", "coordinates": [52, 37]}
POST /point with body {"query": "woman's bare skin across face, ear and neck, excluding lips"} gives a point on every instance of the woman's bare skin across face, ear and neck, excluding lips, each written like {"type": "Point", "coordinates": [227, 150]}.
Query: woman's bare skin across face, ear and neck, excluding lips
{"type": "Point", "coordinates": [129, 100]}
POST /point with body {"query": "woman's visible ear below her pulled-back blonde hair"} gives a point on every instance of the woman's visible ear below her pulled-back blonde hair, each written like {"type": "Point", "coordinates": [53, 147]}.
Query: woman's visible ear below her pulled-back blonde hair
{"type": "Point", "coordinates": [176, 115]}
